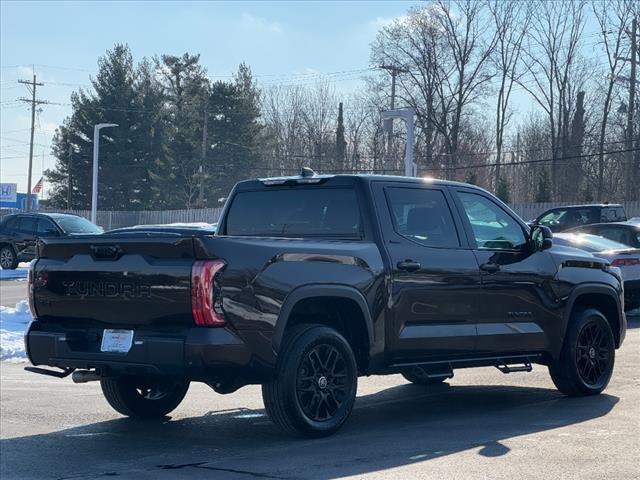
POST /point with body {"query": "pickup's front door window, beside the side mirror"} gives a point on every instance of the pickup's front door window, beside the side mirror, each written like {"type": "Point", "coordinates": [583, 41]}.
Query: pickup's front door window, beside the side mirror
{"type": "Point", "coordinates": [493, 228]}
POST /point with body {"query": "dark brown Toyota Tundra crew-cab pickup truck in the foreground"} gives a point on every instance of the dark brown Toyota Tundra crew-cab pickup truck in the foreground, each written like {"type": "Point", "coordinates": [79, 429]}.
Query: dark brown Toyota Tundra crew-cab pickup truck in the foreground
{"type": "Point", "coordinates": [313, 281]}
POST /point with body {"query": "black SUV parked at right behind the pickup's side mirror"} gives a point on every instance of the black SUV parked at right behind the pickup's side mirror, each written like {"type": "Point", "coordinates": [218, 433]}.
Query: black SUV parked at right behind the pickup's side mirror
{"type": "Point", "coordinates": [563, 218]}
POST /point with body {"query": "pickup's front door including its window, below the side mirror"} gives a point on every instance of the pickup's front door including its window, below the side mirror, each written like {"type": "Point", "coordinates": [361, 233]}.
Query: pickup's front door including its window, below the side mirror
{"type": "Point", "coordinates": [517, 298]}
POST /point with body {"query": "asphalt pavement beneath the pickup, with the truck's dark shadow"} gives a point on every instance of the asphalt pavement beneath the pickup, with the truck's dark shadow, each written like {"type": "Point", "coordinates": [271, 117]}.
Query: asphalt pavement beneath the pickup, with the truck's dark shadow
{"type": "Point", "coordinates": [482, 425]}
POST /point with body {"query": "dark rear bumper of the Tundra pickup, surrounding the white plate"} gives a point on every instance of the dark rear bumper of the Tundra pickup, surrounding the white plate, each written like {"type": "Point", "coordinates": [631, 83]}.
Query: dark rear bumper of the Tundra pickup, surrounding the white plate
{"type": "Point", "coordinates": [200, 354]}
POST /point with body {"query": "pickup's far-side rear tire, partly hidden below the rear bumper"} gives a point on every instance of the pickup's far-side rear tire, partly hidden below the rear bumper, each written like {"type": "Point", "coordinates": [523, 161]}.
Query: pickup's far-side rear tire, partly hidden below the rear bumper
{"type": "Point", "coordinates": [143, 397]}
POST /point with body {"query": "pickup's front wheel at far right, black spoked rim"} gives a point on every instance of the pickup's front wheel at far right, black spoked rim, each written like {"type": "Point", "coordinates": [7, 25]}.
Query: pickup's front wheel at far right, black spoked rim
{"type": "Point", "coordinates": [587, 358]}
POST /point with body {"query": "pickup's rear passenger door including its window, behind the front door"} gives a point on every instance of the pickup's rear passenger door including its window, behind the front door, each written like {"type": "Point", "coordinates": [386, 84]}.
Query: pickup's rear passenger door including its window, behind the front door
{"type": "Point", "coordinates": [435, 280]}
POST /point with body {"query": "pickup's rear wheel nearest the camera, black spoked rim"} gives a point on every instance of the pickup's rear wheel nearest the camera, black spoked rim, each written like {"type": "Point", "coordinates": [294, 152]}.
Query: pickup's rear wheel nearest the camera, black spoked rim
{"type": "Point", "coordinates": [315, 385]}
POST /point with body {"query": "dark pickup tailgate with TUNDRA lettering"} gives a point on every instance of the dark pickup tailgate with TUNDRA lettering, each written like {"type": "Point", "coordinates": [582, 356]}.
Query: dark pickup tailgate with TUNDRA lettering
{"type": "Point", "coordinates": [115, 281]}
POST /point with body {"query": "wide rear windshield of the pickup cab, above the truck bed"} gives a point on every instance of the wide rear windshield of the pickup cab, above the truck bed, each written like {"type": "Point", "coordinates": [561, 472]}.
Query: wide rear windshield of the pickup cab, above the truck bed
{"type": "Point", "coordinates": [295, 212]}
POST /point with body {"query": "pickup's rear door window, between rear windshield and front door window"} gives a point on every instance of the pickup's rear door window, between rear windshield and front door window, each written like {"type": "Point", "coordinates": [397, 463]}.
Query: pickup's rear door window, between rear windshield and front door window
{"type": "Point", "coordinates": [423, 216]}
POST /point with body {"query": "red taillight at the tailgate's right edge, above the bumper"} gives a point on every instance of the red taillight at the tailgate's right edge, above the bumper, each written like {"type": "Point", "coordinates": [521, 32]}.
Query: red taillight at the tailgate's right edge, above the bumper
{"type": "Point", "coordinates": [206, 303]}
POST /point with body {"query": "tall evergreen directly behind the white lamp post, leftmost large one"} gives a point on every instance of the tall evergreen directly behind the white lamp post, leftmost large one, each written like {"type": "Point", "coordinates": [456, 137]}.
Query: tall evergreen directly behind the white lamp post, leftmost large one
{"type": "Point", "coordinates": [124, 165]}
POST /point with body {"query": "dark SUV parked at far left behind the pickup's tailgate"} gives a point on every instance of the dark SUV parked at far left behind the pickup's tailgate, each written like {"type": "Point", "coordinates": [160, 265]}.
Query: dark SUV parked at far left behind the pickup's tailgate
{"type": "Point", "coordinates": [19, 232]}
